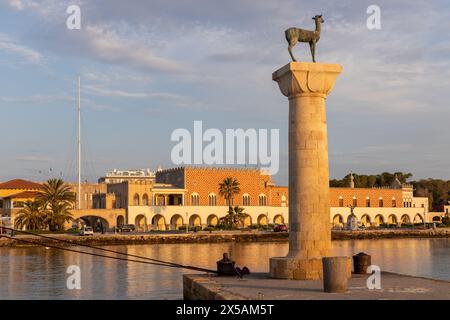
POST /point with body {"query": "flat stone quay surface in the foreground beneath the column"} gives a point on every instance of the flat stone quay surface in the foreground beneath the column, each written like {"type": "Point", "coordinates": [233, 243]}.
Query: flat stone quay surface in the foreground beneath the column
{"type": "Point", "coordinates": [259, 286]}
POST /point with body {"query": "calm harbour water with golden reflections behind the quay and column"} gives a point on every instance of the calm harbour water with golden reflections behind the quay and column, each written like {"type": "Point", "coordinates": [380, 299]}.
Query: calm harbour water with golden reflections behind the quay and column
{"type": "Point", "coordinates": [38, 273]}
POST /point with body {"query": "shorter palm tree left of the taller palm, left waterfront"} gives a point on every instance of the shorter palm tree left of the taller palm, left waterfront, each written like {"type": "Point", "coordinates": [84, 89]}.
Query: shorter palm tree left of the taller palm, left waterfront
{"type": "Point", "coordinates": [30, 217]}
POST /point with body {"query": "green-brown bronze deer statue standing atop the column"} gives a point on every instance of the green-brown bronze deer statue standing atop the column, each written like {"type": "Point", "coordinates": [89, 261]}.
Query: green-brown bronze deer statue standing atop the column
{"type": "Point", "coordinates": [294, 35]}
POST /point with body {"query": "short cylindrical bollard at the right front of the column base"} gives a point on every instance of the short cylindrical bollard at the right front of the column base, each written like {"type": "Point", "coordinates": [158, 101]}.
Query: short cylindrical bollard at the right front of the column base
{"type": "Point", "coordinates": [335, 277]}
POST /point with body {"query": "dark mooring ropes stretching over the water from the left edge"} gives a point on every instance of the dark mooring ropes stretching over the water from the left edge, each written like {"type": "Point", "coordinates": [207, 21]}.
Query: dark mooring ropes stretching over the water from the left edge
{"type": "Point", "coordinates": [153, 261]}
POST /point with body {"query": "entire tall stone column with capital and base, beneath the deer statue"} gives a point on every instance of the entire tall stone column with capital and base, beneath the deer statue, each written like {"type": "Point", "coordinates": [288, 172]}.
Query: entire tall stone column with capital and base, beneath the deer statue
{"type": "Point", "coordinates": [307, 85]}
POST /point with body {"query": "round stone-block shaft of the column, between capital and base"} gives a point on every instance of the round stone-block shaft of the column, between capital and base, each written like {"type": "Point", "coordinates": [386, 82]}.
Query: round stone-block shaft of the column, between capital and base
{"type": "Point", "coordinates": [309, 208]}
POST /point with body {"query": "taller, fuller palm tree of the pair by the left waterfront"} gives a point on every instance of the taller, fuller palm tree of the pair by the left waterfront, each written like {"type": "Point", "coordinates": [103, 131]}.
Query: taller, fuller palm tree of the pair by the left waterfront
{"type": "Point", "coordinates": [57, 198]}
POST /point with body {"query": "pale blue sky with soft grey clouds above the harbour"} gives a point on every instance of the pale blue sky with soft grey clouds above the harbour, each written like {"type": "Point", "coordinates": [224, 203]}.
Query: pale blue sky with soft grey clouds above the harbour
{"type": "Point", "coordinates": [150, 67]}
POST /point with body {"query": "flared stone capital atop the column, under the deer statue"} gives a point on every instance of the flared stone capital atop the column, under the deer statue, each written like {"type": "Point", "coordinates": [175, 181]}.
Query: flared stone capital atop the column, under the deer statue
{"type": "Point", "coordinates": [307, 79]}
